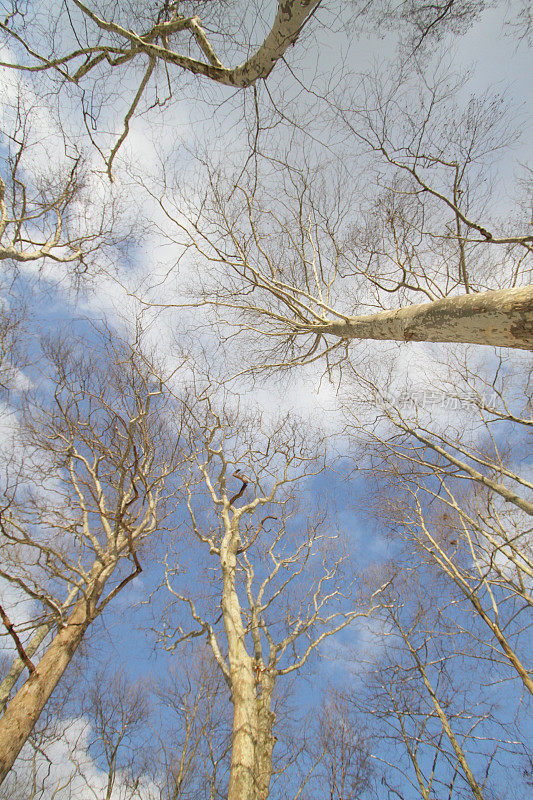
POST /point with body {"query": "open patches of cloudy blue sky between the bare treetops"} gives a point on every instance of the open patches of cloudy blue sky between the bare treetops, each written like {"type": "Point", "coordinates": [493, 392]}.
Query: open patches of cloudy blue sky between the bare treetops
{"type": "Point", "coordinates": [497, 63]}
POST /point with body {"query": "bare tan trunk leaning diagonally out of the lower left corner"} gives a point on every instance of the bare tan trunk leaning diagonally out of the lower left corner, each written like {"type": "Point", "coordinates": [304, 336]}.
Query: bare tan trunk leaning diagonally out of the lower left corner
{"type": "Point", "coordinates": [26, 706]}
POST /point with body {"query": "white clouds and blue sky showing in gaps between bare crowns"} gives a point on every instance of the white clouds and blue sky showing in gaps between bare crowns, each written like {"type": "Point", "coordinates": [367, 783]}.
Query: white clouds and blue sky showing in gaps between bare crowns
{"type": "Point", "coordinates": [162, 141]}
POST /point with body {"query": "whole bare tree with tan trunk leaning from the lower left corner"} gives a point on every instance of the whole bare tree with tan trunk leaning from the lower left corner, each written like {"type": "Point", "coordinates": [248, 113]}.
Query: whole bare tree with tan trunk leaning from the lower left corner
{"type": "Point", "coordinates": [90, 490]}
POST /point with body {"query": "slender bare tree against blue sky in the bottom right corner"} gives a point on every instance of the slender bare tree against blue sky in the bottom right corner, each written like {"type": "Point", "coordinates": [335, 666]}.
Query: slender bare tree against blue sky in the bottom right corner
{"type": "Point", "coordinates": [431, 725]}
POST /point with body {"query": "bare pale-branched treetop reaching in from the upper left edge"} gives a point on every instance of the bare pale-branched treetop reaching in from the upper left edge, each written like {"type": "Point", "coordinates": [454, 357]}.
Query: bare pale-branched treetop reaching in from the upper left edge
{"type": "Point", "coordinates": [46, 210]}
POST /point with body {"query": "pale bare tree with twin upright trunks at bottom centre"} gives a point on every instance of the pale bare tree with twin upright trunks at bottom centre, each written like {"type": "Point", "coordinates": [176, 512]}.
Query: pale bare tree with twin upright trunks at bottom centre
{"type": "Point", "coordinates": [277, 591]}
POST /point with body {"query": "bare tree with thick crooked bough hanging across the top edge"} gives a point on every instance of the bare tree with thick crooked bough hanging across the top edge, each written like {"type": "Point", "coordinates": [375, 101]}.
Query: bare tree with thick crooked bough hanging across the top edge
{"type": "Point", "coordinates": [151, 46]}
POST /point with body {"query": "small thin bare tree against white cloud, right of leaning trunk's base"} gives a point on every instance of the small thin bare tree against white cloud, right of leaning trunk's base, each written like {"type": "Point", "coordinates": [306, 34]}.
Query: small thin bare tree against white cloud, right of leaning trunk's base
{"type": "Point", "coordinates": [90, 740]}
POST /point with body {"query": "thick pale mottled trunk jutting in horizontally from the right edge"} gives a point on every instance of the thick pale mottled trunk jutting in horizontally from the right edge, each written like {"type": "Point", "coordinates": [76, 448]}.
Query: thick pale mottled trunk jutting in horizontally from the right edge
{"type": "Point", "coordinates": [502, 318]}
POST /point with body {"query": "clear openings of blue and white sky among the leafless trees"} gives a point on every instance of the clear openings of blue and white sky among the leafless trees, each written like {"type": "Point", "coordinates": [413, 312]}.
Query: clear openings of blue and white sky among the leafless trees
{"type": "Point", "coordinates": [124, 636]}
